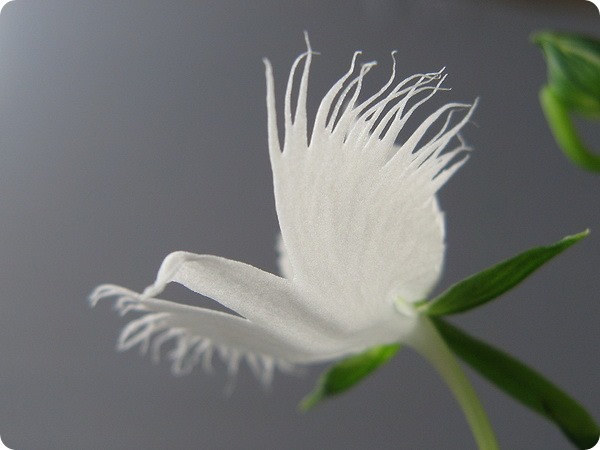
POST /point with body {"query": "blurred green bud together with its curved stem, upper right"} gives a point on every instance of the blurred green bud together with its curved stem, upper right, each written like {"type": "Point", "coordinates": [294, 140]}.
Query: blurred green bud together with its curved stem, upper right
{"type": "Point", "coordinates": [573, 87]}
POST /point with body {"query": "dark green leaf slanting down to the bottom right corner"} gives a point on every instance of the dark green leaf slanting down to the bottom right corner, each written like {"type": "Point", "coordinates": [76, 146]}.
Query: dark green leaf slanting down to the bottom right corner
{"type": "Point", "coordinates": [524, 384]}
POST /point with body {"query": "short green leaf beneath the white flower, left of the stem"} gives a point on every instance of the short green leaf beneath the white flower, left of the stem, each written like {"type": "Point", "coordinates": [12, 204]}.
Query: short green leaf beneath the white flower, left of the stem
{"type": "Point", "coordinates": [345, 374]}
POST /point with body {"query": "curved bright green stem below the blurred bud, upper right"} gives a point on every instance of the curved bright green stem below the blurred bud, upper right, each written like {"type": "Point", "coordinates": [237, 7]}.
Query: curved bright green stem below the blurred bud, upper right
{"type": "Point", "coordinates": [565, 133]}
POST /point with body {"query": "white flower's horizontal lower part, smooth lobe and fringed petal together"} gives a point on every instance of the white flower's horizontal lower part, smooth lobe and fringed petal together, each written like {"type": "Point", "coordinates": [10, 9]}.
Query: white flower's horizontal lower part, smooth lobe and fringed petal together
{"type": "Point", "coordinates": [277, 322]}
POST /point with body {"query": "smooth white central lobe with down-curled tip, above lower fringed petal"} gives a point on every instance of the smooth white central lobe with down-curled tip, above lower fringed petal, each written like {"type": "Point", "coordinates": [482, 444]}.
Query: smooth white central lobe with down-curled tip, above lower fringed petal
{"type": "Point", "coordinates": [288, 311]}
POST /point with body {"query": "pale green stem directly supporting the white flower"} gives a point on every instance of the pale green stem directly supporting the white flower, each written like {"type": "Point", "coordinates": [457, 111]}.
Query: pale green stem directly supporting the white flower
{"type": "Point", "coordinates": [429, 343]}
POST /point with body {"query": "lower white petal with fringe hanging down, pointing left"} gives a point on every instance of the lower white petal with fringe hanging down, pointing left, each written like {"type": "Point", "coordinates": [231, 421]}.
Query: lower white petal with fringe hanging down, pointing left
{"type": "Point", "coordinates": [195, 334]}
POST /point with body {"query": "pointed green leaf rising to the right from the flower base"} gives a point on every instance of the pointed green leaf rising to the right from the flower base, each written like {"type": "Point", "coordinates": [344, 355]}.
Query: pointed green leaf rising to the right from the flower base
{"type": "Point", "coordinates": [495, 281]}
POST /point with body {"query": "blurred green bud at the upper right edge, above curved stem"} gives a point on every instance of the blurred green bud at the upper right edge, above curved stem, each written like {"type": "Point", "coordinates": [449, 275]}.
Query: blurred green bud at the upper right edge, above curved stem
{"type": "Point", "coordinates": [573, 62]}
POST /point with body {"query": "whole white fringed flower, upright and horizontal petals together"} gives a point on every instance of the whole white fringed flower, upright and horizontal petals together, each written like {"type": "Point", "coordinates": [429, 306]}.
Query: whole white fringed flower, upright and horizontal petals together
{"type": "Point", "coordinates": [360, 225]}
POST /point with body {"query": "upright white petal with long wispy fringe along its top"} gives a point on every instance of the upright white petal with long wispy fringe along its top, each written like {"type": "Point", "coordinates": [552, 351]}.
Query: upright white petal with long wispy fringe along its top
{"type": "Point", "coordinates": [357, 210]}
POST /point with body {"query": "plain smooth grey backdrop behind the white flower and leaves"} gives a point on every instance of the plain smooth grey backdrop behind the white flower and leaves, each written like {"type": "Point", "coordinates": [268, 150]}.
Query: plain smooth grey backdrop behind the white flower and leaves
{"type": "Point", "coordinates": [129, 129]}
